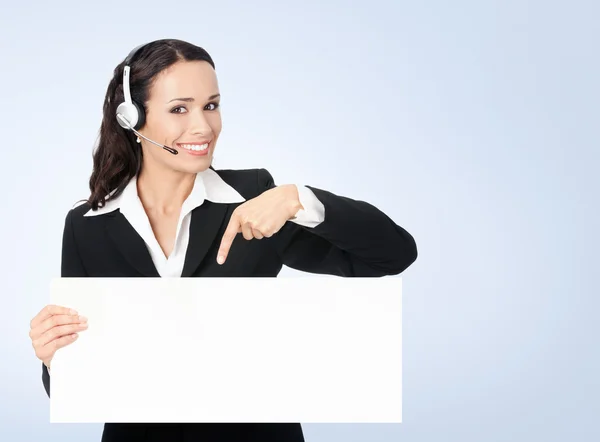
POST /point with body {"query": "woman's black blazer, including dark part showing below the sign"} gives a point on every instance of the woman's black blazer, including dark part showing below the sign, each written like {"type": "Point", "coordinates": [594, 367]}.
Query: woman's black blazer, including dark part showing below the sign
{"type": "Point", "coordinates": [355, 240]}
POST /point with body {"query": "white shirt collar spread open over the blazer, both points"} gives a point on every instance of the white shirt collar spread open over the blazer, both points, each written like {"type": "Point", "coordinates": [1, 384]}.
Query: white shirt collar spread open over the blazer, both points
{"type": "Point", "coordinates": [207, 186]}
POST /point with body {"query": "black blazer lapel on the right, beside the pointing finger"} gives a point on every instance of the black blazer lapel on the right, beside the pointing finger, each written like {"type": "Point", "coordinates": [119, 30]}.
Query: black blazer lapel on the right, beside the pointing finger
{"type": "Point", "coordinates": [206, 221]}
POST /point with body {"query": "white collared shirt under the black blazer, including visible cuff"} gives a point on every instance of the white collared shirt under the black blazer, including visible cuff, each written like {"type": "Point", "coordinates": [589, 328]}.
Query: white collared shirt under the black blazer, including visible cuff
{"type": "Point", "coordinates": [207, 186]}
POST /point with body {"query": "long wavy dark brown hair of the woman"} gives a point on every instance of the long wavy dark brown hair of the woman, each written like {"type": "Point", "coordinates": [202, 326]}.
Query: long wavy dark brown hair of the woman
{"type": "Point", "coordinates": [117, 157]}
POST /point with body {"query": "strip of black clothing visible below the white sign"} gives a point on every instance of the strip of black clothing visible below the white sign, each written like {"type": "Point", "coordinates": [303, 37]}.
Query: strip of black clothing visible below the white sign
{"type": "Point", "coordinates": [204, 432]}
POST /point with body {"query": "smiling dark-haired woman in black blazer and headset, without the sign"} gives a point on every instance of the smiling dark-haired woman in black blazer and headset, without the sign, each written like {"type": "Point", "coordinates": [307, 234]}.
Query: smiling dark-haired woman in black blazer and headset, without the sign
{"type": "Point", "coordinates": [158, 208]}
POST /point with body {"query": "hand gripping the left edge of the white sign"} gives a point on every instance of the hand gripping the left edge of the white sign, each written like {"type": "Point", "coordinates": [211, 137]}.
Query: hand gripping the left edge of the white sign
{"type": "Point", "coordinates": [52, 328]}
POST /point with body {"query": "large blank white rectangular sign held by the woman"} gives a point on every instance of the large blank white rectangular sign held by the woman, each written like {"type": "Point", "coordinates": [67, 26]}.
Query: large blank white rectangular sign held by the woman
{"type": "Point", "coordinates": [318, 349]}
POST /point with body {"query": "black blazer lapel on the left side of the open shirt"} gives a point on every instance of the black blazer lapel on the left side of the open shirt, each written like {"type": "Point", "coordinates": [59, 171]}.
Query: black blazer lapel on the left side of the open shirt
{"type": "Point", "coordinates": [130, 244]}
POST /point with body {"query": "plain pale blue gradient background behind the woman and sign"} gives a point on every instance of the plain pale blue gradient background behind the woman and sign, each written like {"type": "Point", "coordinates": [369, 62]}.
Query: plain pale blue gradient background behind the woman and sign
{"type": "Point", "coordinates": [472, 123]}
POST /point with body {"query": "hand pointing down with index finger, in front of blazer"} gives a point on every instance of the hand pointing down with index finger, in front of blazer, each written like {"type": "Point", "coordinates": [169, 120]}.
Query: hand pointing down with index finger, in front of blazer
{"type": "Point", "coordinates": [260, 217]}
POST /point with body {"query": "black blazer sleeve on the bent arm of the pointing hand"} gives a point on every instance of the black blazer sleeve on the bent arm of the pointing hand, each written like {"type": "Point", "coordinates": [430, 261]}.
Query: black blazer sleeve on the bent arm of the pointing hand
{"type": "Point", "coordinates": [354, 239]}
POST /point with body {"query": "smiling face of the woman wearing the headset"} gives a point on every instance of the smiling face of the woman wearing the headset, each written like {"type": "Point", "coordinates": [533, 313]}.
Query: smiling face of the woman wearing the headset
{"type": "Point", "coordinates": [183, 113]}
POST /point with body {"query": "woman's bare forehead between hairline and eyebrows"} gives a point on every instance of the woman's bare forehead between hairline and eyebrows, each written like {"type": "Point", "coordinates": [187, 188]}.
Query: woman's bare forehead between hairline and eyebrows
{"type": "Point", "coordinates": [185, 79]}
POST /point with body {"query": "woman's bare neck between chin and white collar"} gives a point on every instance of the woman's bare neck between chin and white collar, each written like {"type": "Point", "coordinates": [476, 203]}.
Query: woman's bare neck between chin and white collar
{"type": "Point", "coordinates": [163, 191]}
